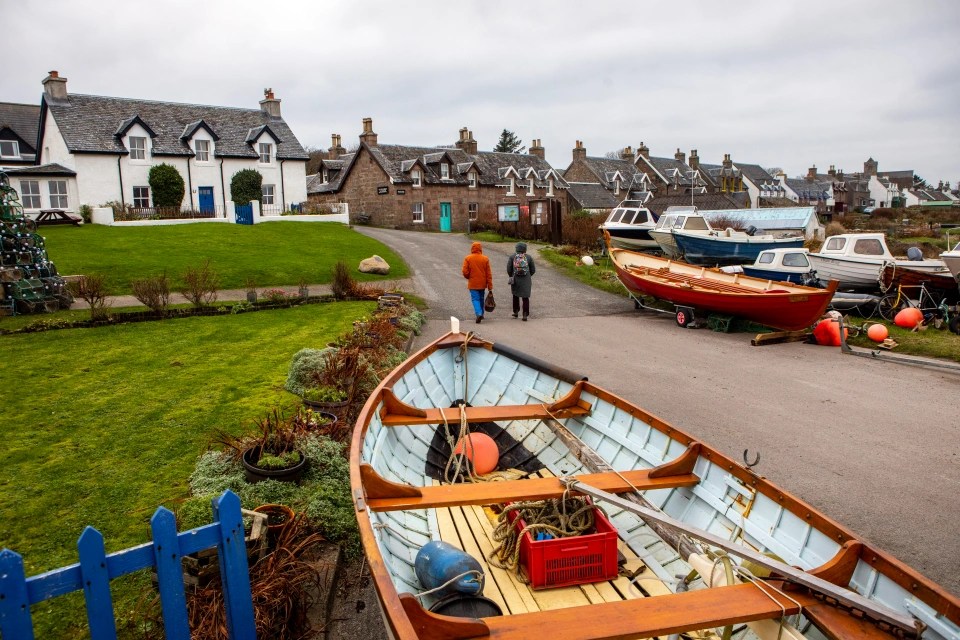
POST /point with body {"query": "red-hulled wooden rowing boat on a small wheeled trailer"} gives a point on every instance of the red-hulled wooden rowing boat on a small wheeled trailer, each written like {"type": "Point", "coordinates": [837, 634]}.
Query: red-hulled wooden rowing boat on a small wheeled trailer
{"type": "Point", "coordinates": [781, 305]}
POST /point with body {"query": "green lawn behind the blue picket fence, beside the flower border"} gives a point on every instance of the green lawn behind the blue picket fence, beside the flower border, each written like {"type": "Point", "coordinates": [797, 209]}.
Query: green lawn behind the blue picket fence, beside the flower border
{"type": "Point", "coordinates": [103, 425]}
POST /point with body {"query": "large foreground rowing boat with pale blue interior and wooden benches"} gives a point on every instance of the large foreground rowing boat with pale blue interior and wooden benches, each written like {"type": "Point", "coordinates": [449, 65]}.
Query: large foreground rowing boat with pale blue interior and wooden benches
{"type": "Point", "coordinates": [675, 504]}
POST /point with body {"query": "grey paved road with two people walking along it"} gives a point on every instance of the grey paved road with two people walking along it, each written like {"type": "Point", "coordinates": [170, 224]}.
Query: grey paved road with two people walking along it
{"type": "Point", "coordinates": [875, 446]}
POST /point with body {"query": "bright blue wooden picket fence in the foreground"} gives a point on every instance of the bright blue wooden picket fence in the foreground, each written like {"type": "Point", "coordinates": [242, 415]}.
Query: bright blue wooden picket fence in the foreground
{"type": "Point", "coordinates": [96, 569]}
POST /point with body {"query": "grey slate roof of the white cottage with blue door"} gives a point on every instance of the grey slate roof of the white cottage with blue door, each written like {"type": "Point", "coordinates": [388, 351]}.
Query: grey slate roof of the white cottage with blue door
{"type": "Point", "coordinates": [89, 124]}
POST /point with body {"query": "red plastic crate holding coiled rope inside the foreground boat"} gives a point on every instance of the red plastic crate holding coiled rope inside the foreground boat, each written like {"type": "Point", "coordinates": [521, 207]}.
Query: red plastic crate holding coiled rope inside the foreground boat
{"type": "Point", "coordinates": [562, 562]}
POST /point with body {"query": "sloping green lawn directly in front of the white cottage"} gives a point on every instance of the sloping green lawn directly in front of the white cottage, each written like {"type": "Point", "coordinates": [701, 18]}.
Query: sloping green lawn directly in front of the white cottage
{"type": "Point", "coordinates": [272, 253]}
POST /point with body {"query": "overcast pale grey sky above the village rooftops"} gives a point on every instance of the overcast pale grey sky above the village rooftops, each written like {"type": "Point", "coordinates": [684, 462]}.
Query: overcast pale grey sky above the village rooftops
{"type": "Point", "coordinates": [779, 84]}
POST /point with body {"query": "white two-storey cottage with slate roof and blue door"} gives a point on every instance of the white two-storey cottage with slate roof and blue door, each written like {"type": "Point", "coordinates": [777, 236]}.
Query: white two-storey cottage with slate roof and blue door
{"type": "Point", "coordinates": [110, 144]}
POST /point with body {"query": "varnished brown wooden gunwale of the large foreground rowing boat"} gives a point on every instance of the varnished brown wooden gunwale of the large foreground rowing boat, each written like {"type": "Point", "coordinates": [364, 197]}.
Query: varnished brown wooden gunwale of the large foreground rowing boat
{"type": "Point", "coordinates": [401, 627]}
